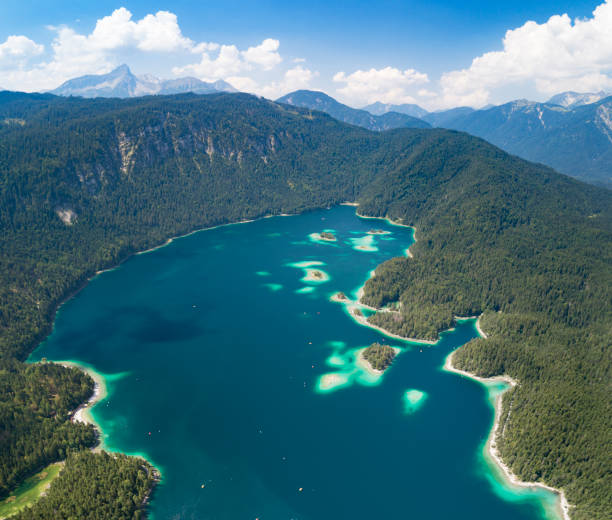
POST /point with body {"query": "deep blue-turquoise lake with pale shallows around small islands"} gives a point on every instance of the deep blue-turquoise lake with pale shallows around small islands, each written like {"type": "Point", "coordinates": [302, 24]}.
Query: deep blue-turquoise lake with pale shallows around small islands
{"type": "Point", "coordinates": [215, 348]}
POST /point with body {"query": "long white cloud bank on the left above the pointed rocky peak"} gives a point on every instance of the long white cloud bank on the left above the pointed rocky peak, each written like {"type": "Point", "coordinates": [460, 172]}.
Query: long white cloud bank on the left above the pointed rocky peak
{"type": "Point", "coordinates": [74, 54]}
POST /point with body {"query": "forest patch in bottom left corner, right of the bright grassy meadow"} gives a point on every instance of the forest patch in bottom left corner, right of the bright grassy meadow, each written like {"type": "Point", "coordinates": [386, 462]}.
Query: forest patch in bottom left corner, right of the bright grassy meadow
{"type": "Point", "coordinates": [96, 485]}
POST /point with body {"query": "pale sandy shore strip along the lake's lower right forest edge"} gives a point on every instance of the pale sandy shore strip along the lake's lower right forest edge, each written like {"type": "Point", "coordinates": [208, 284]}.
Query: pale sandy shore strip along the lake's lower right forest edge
{"type": "Point", "coordinates": [491, 446]}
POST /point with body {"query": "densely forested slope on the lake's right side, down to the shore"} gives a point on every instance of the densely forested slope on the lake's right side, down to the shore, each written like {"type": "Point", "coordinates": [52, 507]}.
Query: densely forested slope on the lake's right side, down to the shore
{"type": "Point", "coordinates": [533, 252]}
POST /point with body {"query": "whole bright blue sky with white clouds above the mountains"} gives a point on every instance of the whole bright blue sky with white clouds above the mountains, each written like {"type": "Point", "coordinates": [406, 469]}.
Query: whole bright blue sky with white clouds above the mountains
{"type": "Point", "coordinates": [437, 54]}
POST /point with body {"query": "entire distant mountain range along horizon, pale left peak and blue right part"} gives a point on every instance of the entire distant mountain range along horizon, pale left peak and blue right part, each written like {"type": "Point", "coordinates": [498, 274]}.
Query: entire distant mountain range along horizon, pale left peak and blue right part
{"type": "Point", "coordinates": [572, 131]}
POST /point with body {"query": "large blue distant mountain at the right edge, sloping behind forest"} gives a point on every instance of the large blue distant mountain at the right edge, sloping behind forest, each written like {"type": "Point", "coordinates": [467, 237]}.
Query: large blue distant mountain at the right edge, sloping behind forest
{"type": "Point", "coordinates": [575, 141]}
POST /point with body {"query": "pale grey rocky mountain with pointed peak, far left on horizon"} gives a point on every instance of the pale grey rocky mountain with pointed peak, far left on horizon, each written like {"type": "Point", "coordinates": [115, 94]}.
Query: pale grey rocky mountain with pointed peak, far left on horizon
{"type": "Point", "coordinates": [122, 83]}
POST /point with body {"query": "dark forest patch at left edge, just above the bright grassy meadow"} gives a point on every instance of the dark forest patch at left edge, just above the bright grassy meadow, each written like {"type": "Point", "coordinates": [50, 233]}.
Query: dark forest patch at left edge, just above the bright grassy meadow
{"type": "Point", "coordinates": [35, 427]}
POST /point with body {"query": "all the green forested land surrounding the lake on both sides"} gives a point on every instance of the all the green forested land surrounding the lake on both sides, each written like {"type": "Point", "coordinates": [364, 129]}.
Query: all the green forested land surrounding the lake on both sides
{"type": "Point", "coordinates": [86, 183]}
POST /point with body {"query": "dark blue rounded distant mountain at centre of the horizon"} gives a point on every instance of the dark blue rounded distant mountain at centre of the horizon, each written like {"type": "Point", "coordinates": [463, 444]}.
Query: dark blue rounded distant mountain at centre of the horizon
{"type": "Point", "coordinates": [324, 103]}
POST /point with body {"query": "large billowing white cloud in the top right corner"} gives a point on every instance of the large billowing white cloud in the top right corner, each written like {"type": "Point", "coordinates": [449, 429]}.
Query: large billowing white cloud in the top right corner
{"type": "Point", "coordinates": [557, 55]}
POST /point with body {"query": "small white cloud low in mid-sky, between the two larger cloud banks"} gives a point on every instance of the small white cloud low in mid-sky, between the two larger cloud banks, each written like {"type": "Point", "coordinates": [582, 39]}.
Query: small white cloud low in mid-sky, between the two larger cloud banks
{"type": "Point", "coordinates": [388, 85]}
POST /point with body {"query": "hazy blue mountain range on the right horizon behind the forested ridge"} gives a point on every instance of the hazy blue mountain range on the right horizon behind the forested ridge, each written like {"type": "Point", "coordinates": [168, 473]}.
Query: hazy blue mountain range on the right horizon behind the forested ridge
{"type": "Point", "coordinates": [573, 135]}
